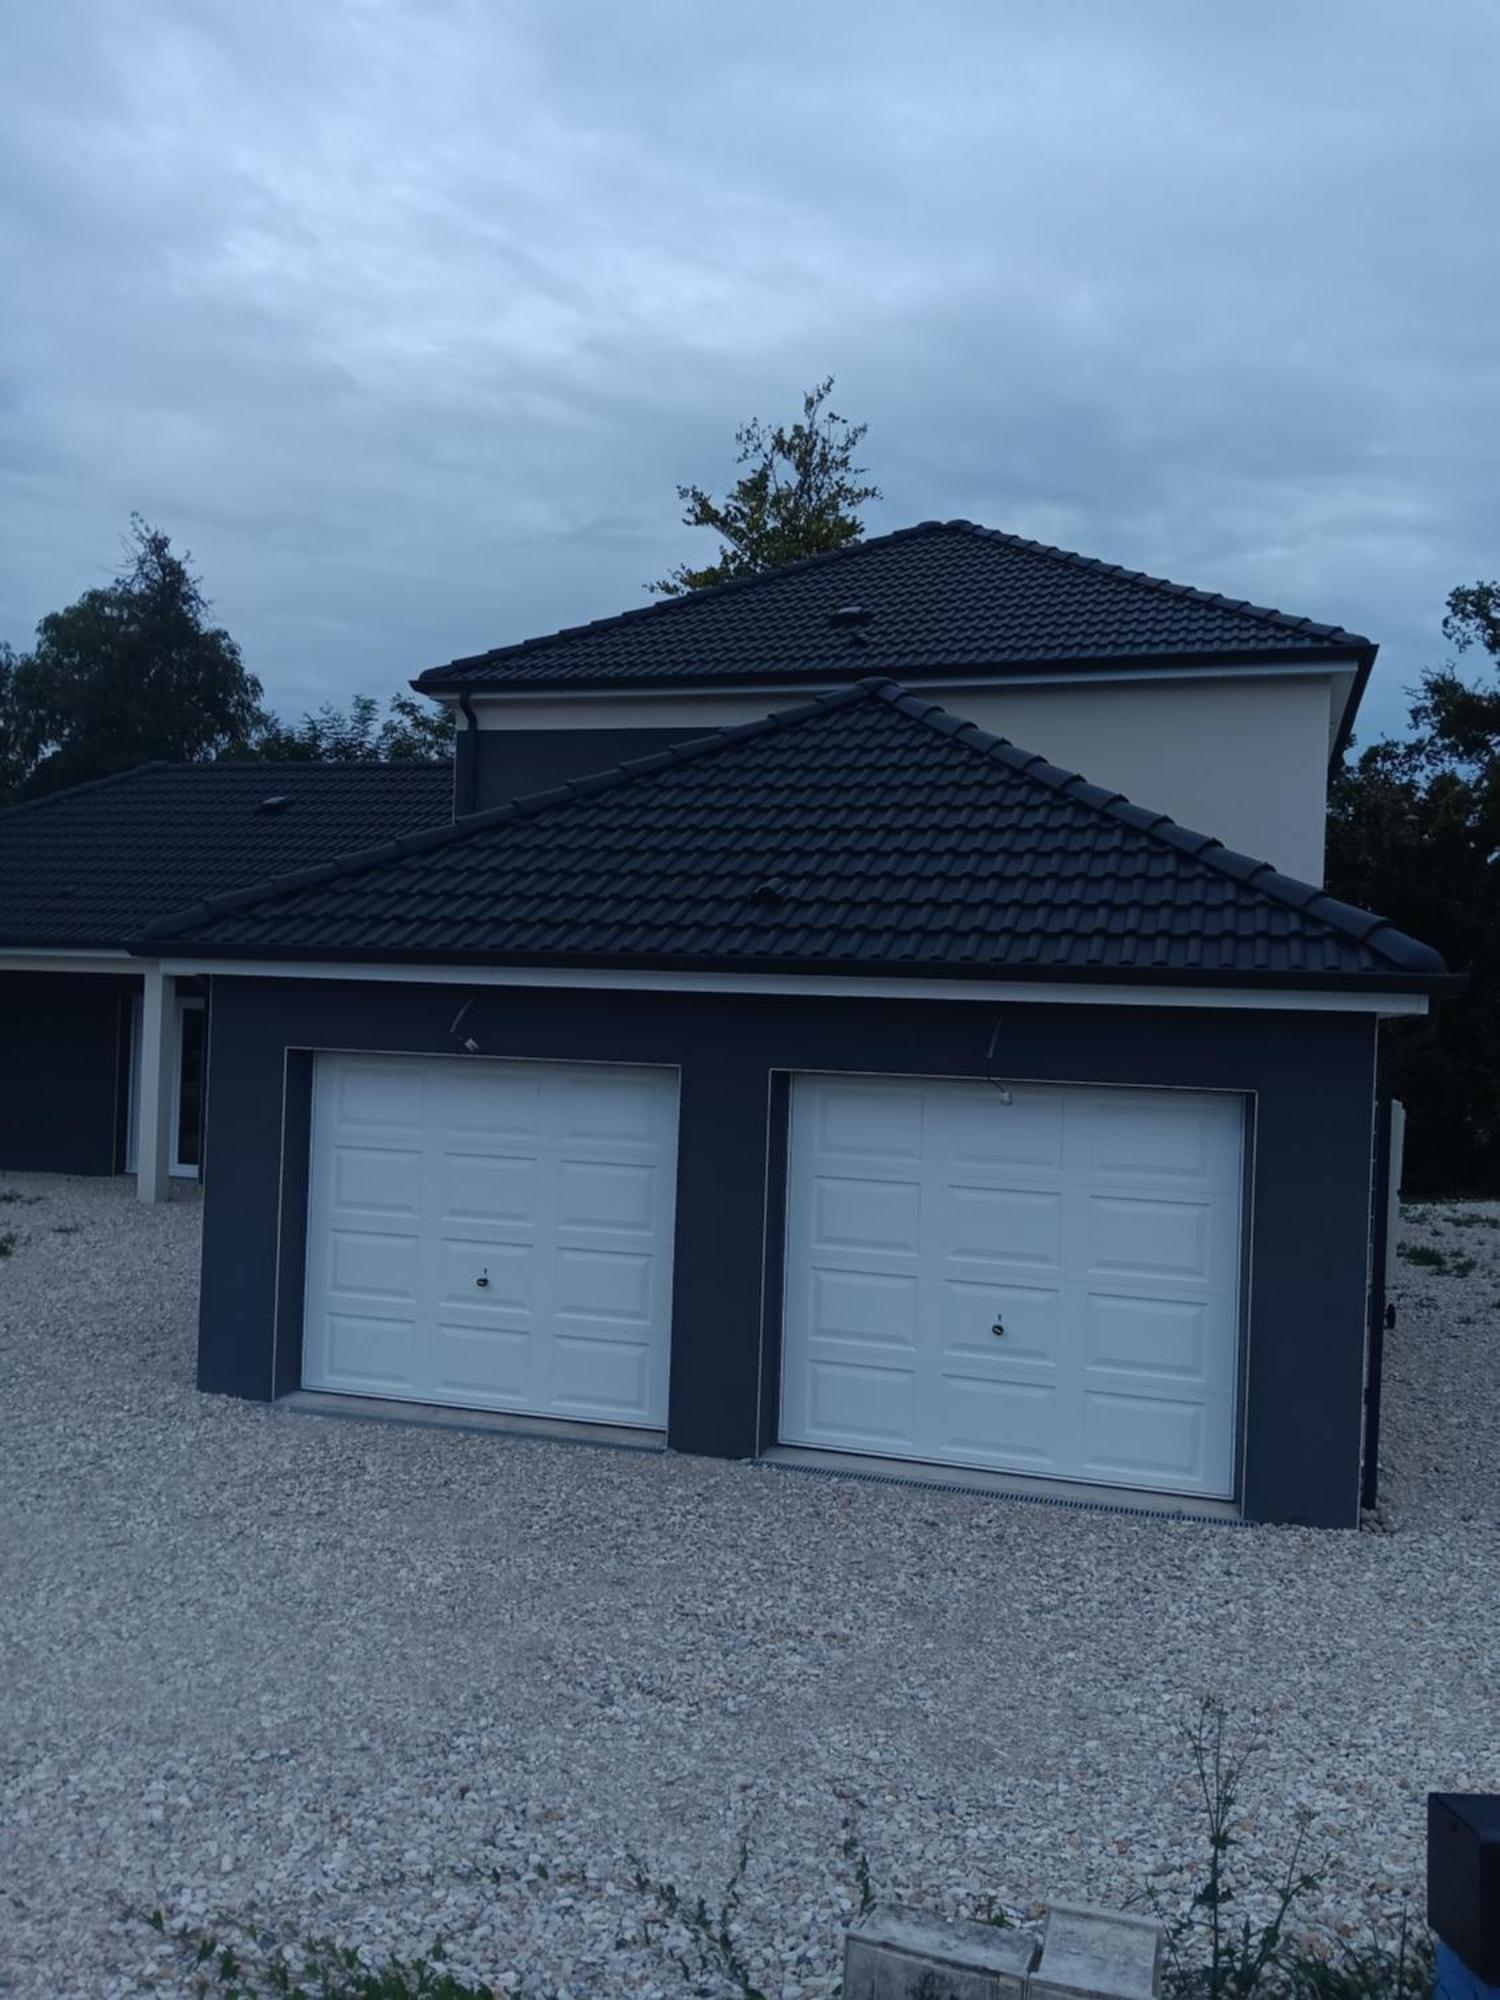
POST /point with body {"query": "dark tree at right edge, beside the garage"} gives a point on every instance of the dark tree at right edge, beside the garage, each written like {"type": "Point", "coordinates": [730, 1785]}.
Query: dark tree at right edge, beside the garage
{"type": "Point", "coordinates": [1415, 833]}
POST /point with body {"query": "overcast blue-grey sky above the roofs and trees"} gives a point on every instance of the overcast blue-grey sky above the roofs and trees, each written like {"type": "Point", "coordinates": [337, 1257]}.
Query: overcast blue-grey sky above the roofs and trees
{"type": "Point", "coordinates": [407, 319]}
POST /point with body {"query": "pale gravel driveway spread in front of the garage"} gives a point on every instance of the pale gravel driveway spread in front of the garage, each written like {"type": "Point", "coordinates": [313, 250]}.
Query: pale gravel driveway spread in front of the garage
{"type": "Point", "coordinates": [387, 1683]}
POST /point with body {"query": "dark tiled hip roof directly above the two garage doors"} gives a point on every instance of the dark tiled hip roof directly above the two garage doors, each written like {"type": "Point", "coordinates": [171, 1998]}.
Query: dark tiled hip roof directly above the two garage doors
{"type": "Point", "coordinates": [897, 841]}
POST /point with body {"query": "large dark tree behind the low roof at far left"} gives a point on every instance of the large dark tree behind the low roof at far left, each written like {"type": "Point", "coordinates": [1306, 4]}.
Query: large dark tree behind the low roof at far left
{"type": "Point", "coordinates": [129, 673]}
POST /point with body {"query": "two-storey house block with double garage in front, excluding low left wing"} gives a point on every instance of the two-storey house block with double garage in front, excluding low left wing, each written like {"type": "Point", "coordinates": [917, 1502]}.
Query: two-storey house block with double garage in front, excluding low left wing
{"type": "Point", "coordinates": [779, 1061]}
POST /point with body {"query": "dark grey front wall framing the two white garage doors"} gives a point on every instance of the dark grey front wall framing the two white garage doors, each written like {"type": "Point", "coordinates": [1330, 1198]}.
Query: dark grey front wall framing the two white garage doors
{"type": "Point", "coordinates": [1311, 1077]}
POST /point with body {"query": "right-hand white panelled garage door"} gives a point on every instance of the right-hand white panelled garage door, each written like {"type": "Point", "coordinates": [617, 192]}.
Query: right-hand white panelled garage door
{"type": "Point", "coordinates": [1039, 1287]}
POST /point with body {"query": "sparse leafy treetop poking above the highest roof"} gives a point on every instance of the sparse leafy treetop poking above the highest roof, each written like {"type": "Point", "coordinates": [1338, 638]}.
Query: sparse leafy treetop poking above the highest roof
{"type": "Point", "coordinates": [799, 497]}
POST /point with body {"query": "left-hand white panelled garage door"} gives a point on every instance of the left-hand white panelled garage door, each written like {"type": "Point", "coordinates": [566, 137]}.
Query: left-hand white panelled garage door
{"type": "Point", "coordinates": [493, 1235]}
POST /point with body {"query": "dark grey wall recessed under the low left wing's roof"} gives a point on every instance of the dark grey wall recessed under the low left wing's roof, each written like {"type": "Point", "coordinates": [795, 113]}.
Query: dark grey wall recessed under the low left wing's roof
{"type": "Point", "coordinates": [63, 1061]}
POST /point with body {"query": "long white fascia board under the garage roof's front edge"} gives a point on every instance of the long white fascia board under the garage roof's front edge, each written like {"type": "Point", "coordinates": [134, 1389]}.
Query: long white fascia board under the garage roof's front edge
{"type": "Point", "coordinates": [807, 985]}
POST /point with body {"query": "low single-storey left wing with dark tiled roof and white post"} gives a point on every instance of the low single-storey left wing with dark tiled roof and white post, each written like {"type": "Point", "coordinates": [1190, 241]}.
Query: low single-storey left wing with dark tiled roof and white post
{"type": "Point", "coordinates": [83, 873]}
